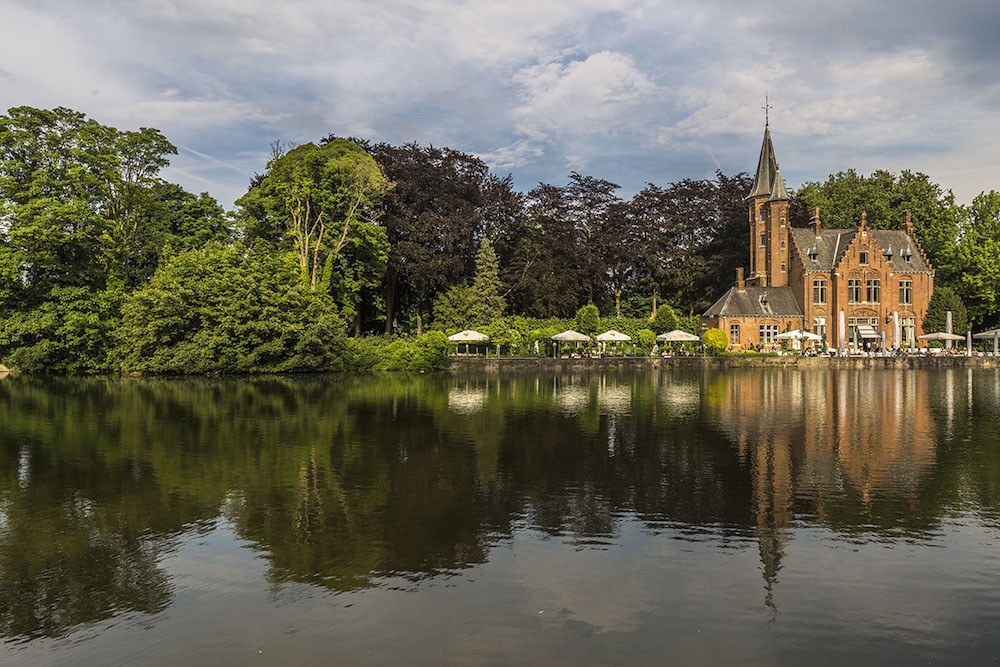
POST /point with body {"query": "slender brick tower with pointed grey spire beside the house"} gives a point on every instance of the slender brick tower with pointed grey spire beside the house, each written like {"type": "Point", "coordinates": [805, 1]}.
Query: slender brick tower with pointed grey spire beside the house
{"type": "Point", "coordinates": [767, 204]}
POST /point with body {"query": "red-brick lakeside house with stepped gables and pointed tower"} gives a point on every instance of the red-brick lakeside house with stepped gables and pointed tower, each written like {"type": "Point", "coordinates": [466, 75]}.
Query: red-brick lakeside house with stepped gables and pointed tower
{"type": "Point", "coordinates": [855, 287]}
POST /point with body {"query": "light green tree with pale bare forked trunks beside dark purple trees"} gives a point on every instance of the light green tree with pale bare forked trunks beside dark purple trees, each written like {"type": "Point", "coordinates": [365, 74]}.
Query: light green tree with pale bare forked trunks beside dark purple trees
{"type": "Point", "coordinates": [319, 198]}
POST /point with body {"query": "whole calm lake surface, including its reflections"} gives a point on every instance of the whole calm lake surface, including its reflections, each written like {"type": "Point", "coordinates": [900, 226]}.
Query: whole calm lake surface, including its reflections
{"type": "Point", "coordinates": [677, 516]}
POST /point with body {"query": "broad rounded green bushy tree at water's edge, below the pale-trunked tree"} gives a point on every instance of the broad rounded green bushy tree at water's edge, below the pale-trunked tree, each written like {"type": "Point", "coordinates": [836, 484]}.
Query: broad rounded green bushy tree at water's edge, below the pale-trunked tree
{"type": "Point", "coordinates": [225, 309]}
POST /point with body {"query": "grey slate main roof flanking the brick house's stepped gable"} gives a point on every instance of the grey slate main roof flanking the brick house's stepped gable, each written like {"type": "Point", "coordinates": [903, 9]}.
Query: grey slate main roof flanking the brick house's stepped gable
{"type": "Point", "coordinates": [831, 245]}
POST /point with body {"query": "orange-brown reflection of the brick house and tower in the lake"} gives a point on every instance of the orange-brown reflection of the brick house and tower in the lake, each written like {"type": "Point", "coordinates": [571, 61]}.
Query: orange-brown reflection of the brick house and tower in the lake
{"type": "Point", "coordinates": [809, 439]}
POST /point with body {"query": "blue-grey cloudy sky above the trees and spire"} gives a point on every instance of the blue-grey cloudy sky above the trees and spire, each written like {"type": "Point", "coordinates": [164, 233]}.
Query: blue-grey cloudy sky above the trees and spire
{"type": "Point", "coordinates": [633, 91]}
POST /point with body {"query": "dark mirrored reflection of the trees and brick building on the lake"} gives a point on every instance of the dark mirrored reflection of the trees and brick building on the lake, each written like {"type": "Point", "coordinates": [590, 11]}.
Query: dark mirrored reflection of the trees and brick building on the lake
{"type": "Point", "coordinates": [346, 483]}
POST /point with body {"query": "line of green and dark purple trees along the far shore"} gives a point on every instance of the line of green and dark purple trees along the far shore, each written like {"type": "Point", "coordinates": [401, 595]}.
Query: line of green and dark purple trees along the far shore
{"type": "Point", "coordinates": [105, 267]}
